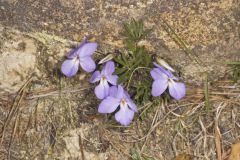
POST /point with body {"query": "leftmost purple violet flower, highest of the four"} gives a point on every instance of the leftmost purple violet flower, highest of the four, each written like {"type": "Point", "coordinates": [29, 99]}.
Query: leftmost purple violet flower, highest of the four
{"type": "Point", "coordinates": [80, 56]}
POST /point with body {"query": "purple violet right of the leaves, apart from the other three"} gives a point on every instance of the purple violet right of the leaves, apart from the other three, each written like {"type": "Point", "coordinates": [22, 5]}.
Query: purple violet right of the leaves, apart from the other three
{"type": "Point", "coordinates": [164, 79]}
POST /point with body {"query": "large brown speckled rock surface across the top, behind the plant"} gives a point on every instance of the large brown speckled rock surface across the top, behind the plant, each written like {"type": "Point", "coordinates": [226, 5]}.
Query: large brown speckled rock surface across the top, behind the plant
{"type": "Point", "coordinates": [209, 28]}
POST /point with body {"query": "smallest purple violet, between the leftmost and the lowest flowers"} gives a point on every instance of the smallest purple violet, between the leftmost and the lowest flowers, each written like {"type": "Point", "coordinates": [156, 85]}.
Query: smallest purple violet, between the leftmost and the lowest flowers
{"type": "Point", "coordinates": [105, 77]}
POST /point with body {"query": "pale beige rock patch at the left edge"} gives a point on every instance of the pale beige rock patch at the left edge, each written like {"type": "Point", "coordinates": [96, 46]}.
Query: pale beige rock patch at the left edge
{"type": "Point", "coordinates": [17, 61]}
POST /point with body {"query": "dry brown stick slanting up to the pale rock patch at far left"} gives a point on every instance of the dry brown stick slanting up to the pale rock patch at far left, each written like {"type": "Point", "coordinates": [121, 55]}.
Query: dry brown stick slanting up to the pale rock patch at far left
{"type": "Point", "coordinates": [14, 107]}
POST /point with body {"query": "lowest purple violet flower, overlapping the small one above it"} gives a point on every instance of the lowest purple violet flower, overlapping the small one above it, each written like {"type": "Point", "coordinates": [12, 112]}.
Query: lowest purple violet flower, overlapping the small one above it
{"type": "Point", "coordinates": [119, 97]}
